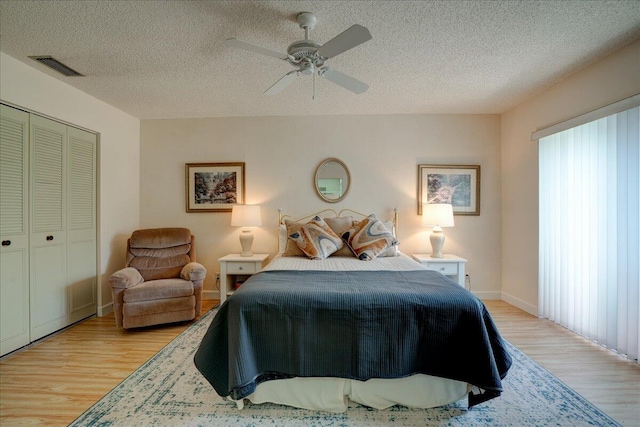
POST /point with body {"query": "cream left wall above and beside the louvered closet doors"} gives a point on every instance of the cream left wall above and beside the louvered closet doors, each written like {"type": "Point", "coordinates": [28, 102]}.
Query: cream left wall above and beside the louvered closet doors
{"type": "Point", "coordinates": [119, 154]}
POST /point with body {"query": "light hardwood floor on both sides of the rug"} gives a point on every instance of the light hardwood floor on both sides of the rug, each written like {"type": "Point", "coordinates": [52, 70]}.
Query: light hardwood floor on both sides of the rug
{"type": "Point", "coordinates": [57, 379]}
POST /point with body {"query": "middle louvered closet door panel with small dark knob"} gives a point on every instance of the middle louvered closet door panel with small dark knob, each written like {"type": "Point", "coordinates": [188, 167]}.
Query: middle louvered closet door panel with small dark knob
{"type": "Point", "coordinates": [48, 290]}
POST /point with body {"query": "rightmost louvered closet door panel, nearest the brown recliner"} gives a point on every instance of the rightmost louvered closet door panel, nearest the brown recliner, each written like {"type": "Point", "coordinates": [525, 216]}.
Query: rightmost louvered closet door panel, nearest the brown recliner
{"type": "Point", "coordinates": [81, 223]}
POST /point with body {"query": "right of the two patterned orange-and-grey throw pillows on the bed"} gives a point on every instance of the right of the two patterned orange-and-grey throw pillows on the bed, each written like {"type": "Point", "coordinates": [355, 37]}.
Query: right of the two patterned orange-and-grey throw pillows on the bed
{"type": "Point", "coordinates": [369, 238]}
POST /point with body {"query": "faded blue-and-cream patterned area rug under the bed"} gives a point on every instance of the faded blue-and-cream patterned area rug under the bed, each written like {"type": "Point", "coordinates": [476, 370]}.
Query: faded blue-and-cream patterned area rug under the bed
{"type": "Point", "coordinates": [169, 391]}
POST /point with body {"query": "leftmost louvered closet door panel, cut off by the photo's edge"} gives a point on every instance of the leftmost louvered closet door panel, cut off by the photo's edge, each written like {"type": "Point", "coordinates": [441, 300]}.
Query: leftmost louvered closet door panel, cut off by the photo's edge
{"type": "Point", "coordinates": [14, 231]}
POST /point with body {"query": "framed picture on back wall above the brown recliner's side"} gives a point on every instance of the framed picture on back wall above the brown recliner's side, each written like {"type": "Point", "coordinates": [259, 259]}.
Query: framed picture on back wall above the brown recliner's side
{"type": "Point", "coordinates": [214, 187]}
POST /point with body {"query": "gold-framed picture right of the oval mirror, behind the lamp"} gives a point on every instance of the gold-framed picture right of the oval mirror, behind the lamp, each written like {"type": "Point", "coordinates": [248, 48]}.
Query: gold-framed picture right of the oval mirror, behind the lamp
{"type": "Point", "coordinates": [458, 185]}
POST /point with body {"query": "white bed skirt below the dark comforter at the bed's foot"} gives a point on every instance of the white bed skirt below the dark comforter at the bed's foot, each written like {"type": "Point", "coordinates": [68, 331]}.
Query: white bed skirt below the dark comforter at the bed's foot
{"type": "Point", "coordinates": [334, 394]}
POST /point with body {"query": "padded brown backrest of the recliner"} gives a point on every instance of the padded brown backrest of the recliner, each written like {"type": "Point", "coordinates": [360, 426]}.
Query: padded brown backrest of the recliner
{"type": "Point", "coordinates": [160, 253]}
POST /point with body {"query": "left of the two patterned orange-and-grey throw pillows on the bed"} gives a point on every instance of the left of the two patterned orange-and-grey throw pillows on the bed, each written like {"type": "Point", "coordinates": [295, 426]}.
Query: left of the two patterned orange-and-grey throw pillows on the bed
{"type": "Point", "coordinates": [316, 239]}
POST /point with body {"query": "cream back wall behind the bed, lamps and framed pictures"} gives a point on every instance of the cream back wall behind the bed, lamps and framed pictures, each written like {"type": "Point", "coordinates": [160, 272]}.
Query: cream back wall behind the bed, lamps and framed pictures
{"type": "Point", "coordinates": [281, 154]}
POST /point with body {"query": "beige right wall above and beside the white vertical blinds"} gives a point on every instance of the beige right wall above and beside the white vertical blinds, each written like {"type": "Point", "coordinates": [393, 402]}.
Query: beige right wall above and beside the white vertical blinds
{"type": "Point", "coordinates": [611, 79]}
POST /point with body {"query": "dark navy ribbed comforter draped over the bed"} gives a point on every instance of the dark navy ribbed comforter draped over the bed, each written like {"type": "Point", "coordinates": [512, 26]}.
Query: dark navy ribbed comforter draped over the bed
{"type": "Point", "coordinates": [355, 324]}
